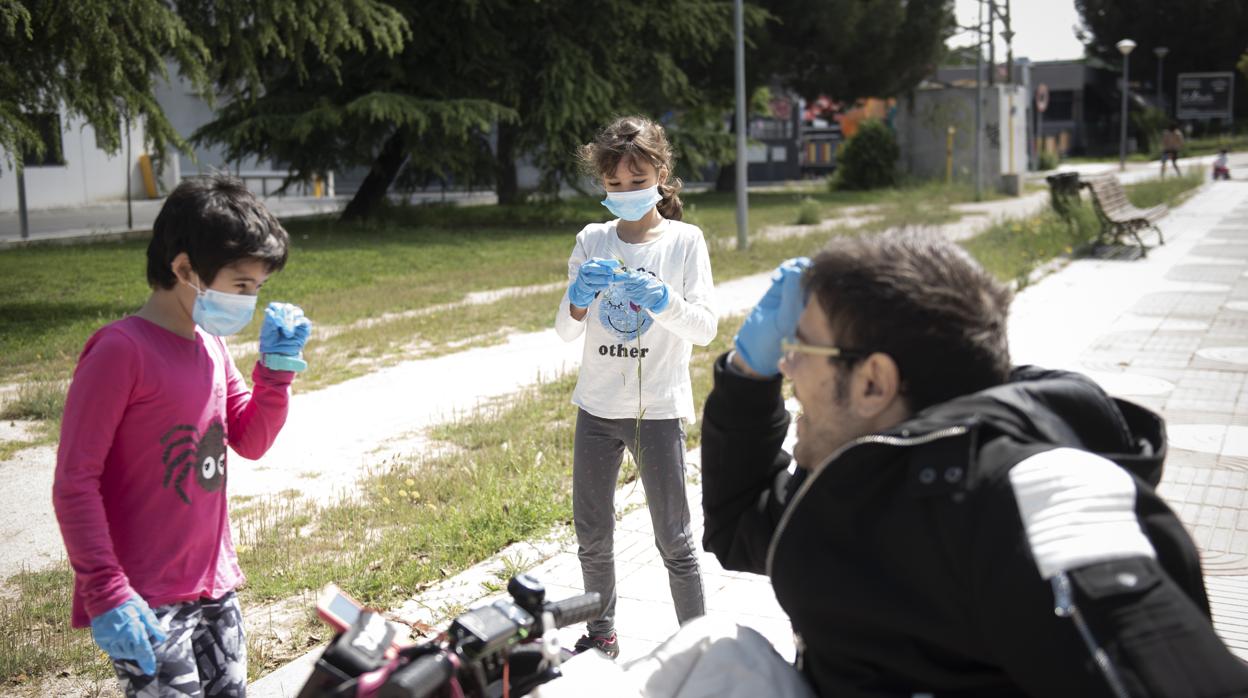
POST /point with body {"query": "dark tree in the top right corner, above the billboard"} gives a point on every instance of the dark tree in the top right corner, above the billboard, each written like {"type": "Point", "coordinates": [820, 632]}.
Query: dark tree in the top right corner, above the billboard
{"type": "Point", "coordinates": [1202, 36]}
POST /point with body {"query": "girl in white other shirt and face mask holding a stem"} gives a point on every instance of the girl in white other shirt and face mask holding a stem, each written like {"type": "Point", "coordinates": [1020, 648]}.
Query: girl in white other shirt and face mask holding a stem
{"type": "Point", "coordinates": [641, 292]}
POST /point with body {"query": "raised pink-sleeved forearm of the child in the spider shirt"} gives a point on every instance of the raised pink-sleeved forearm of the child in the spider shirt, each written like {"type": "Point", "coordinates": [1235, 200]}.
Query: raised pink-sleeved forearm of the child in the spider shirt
{"type": "Point", "coordinates": [256, 416]}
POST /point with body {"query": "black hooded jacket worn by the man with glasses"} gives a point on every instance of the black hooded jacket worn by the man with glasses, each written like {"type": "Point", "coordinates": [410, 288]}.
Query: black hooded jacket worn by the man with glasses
{"type": "Point", "coordinates": [905, 566]}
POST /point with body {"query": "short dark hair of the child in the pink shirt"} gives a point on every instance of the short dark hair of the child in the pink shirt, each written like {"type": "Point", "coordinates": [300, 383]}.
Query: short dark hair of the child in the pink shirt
{"type": "Point", "coordinates": [217, 222]}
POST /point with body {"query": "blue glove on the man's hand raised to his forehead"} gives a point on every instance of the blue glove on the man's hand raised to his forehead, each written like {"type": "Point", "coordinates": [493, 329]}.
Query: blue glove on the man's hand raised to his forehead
{"type": "Point", "coordinates": [773, 319]}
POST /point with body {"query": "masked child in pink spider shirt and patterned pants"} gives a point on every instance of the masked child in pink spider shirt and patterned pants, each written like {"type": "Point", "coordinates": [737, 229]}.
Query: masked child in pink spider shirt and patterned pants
{"type": "Point", "coordinates": [142, 471]}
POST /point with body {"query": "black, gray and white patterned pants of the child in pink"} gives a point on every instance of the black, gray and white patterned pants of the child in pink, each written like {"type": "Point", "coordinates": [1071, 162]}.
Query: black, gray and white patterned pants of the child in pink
{"type": "Point", "coordinates": [204, 656]}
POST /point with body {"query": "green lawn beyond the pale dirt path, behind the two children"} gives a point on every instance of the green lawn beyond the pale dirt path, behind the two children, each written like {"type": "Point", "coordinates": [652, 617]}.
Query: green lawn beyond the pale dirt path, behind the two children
{"type": "Point", "coordinates": [54, 298]}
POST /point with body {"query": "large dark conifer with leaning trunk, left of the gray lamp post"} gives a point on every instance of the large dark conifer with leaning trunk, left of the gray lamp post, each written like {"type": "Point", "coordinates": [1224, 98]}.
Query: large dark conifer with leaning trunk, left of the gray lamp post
{"type": "Point", "coordinates": [479, 86]}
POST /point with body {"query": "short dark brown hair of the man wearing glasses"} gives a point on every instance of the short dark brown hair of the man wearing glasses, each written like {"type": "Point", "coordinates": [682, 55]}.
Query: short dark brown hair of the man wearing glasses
{"type": "Point", "coordinates": [922, 300]}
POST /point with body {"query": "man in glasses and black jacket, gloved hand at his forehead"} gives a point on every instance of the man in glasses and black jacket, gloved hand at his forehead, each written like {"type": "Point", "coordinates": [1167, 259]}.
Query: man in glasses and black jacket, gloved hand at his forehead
{"type": "Point", "coordinates": [952, 526]}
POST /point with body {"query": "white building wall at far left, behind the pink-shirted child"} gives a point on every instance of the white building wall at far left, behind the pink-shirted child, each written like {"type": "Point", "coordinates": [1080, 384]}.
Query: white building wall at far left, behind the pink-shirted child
{"type": "Point", "coordinates": [89, 174]}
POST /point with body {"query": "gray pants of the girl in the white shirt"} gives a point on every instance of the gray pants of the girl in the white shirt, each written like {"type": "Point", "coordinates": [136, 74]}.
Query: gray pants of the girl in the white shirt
{"type": "Point", "coordinates": [597, 454]}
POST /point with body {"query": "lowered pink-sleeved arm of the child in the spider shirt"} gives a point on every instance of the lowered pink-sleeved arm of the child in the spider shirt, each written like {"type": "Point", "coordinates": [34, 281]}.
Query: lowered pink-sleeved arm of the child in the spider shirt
{"type": "Point", "coordinates": [98, 399]}
